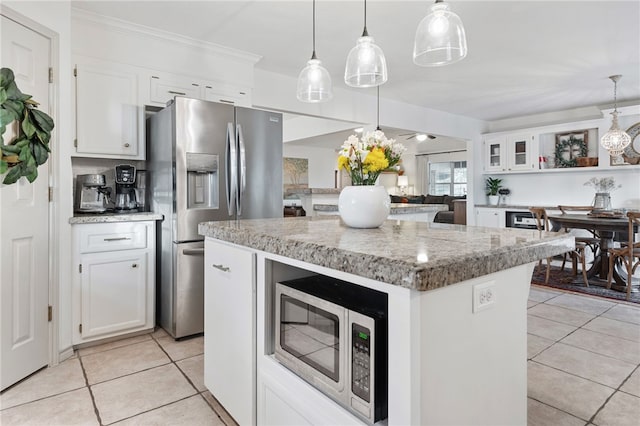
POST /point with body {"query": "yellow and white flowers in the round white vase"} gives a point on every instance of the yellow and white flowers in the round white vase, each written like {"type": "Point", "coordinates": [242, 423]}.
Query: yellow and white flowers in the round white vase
{"type": "Point", "coordinates": [365, 158]}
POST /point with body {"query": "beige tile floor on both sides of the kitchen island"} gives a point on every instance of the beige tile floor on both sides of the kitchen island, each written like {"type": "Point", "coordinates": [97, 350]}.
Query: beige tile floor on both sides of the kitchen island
{"type": "Point", "coordinates": [583, 358]}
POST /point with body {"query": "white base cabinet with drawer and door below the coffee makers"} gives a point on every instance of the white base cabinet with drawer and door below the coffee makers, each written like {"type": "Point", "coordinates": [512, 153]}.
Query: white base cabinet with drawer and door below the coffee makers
{"type": "Point", "coordinates": [114, 284]}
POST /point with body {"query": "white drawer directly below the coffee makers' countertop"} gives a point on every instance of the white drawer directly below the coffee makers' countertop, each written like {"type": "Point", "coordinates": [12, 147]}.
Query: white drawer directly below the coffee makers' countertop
{"type": "Point", "coordinates": [111, 237]}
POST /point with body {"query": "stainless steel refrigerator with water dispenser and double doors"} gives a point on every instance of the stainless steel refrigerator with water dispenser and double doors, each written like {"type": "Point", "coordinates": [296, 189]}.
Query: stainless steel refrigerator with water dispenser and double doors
{"type": "Point", "coordinates": [206, 161]}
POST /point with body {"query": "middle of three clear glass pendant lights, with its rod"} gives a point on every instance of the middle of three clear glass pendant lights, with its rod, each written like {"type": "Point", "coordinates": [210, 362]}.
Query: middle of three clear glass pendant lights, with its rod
{"type": "Point", "coordinates": [366, 65]}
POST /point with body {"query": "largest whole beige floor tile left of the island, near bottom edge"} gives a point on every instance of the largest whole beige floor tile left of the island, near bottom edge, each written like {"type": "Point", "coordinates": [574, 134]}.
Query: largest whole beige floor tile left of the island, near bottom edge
{"type": "Point", "coordinates": [137, 393]}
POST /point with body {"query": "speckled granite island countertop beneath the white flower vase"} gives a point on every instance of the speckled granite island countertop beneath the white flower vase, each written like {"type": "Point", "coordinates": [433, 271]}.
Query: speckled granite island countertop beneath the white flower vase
{"type": "Point", "coordinates": [417, 255]}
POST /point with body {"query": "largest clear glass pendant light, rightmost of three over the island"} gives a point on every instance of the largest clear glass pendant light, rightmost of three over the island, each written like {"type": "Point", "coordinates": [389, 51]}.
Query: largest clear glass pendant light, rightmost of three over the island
{"type": "Point", "coordinates": [440, 38]}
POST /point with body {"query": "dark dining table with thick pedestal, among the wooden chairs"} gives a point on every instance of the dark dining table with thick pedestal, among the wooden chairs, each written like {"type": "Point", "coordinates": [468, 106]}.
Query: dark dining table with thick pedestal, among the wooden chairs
{"type": "Point", "coordinates": [604, 226]}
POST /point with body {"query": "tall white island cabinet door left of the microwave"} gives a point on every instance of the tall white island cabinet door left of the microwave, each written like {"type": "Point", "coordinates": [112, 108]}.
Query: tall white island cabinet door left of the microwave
{"type": "Point", "coordinates": [229, 328]}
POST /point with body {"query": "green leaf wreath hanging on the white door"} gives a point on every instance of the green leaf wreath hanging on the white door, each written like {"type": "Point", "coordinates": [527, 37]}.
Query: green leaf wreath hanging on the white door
{"type": "Point", "coordinates": [29, 149]}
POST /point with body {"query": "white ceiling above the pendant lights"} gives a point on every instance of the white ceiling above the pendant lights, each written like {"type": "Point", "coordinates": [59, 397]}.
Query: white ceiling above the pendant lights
{"type": "Point", "coordinates": [525, 57]}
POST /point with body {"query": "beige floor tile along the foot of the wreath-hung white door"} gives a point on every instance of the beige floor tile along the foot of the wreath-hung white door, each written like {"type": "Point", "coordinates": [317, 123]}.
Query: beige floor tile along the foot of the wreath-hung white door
{"type": "Point", "coordinates": [61, 378]}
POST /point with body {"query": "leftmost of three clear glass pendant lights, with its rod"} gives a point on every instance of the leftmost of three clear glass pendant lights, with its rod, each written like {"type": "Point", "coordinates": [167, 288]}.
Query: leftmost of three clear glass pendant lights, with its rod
{"type": "Point", "coordinates": [314, 82]}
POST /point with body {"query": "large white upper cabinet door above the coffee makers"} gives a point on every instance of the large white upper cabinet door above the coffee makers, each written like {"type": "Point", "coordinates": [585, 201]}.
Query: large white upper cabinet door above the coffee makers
{"type": "Point", "coordinates": [107, 112]}
